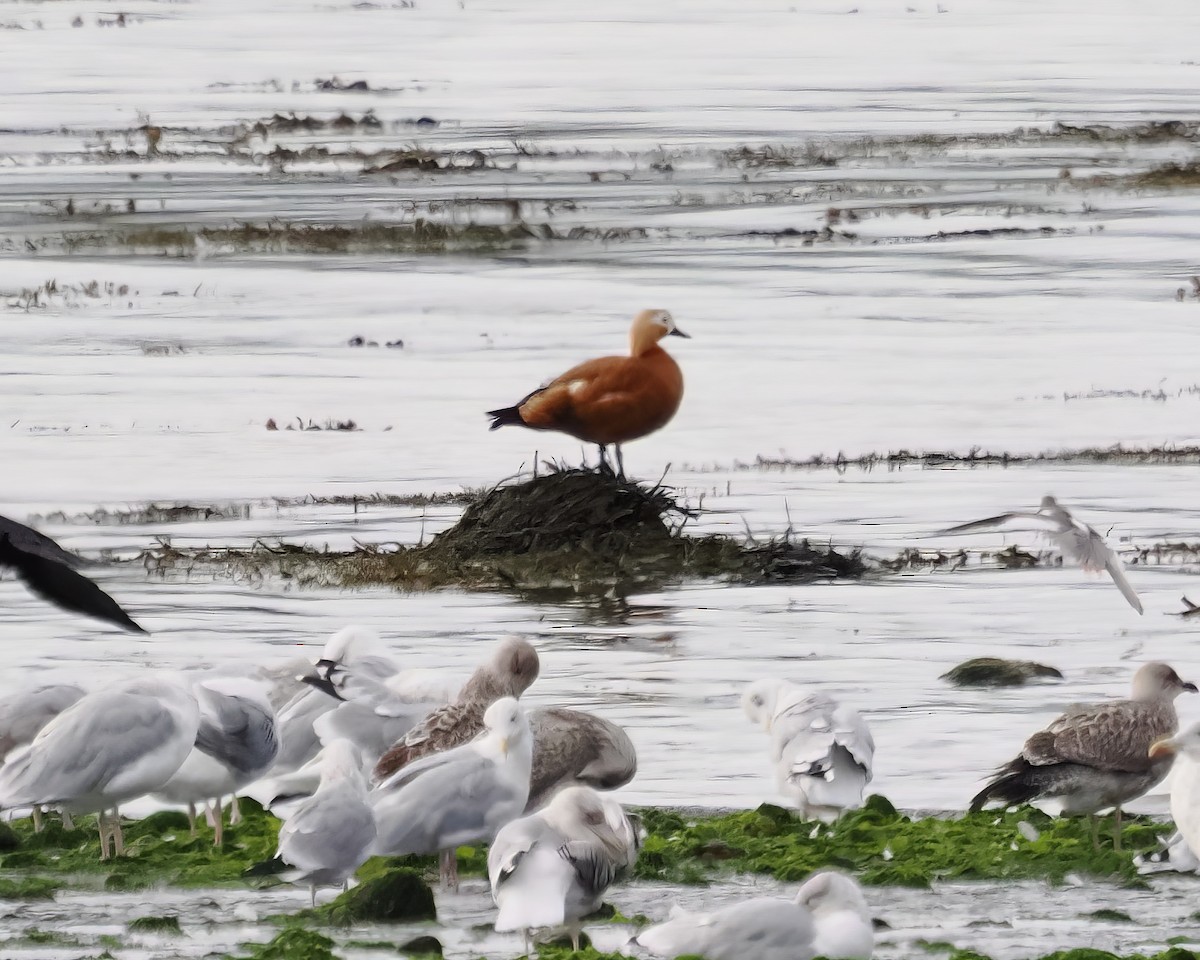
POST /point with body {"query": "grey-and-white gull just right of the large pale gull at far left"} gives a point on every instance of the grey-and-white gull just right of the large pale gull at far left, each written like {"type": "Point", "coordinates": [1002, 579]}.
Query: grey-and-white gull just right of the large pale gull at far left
{"type": "Point", "coordinates": [235, 746]}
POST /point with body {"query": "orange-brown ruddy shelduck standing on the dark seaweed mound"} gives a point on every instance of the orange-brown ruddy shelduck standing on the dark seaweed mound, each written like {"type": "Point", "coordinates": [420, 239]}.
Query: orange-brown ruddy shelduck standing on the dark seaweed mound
{"type": "Point", "coordinates": [611, 400]}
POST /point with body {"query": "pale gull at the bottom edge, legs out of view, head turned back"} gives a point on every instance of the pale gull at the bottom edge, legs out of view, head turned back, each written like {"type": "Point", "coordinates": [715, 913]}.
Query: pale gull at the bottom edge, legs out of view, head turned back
{"type": "Point", "coordinates": [827, 919]}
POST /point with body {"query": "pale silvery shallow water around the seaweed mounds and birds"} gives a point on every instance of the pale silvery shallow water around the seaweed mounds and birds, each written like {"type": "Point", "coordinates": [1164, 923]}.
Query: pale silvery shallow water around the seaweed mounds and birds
{"type": "Point", "coordinates": [898, 328]}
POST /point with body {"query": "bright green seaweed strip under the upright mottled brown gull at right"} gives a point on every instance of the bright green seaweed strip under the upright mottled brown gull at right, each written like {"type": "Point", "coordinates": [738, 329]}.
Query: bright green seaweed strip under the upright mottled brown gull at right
{"type": "Point", "coordinates": [885, 848]}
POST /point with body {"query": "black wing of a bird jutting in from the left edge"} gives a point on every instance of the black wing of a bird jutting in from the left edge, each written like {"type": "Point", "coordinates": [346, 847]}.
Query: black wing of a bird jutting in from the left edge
{"type": "Point", "coordinates": [47, 569]}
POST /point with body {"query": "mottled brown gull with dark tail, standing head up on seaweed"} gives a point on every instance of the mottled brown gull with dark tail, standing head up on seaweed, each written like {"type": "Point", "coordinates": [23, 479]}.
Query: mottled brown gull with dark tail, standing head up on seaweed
{"type": "Point", "coordinates": [1096, 757]}
